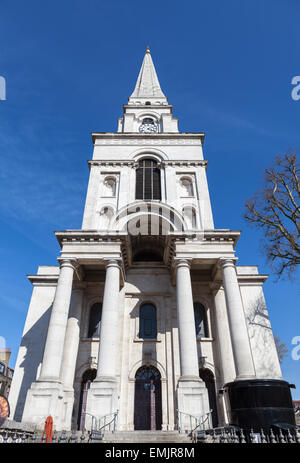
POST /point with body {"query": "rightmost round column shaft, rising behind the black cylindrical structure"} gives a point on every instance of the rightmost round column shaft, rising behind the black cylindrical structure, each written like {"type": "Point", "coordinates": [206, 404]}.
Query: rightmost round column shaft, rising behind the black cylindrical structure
{"type": "Point", "coordinates": [237, 322]}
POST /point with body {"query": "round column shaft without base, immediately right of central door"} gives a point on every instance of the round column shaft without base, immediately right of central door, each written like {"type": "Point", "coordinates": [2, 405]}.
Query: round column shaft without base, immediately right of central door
{"type": "Point", "coordinates": [186, 321]}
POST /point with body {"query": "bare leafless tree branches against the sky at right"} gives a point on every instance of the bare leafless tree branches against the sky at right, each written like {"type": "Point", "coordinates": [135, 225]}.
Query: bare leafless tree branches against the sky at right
{"type": "Point", "coordinates": [276, 210]}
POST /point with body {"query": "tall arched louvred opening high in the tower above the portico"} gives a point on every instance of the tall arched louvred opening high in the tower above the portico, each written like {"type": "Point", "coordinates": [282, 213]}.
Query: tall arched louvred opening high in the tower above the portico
{"type": "Point", "coordinates": [147, 180]}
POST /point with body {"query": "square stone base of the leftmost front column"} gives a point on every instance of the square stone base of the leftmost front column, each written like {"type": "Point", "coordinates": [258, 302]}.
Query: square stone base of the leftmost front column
{"type": "Point", "coordinates": [44, 398]}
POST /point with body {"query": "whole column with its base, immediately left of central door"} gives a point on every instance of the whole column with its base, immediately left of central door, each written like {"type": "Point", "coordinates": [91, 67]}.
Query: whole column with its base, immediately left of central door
{"type": "Point", "coordinates": [103, 394]}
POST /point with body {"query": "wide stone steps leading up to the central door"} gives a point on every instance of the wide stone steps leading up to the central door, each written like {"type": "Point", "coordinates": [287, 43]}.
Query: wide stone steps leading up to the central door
{"type": "Point", "coordinates": [145, 437]}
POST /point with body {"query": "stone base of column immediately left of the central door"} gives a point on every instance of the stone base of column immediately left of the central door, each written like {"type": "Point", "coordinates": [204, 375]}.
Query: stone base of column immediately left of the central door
{"type": "Point", "coordinates": [102, 399]}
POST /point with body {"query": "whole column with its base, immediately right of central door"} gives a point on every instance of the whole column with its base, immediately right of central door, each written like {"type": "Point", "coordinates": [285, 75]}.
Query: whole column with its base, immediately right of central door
{"type": "Point", "coordinates": [192, 395]}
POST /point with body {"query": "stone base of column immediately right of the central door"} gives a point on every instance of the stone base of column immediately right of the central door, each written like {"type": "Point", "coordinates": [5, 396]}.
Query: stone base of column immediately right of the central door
{"type": "Point", "coordinates": [192, 399]}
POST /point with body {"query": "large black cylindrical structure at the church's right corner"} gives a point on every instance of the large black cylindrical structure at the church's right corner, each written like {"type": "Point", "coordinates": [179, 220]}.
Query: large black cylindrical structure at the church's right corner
{"type": "Point", "coordinates": [259, 403]}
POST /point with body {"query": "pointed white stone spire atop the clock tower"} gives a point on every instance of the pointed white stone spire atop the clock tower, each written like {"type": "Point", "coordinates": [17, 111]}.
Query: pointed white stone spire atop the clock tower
{"type": "Point", "coordinates": [147, 85]}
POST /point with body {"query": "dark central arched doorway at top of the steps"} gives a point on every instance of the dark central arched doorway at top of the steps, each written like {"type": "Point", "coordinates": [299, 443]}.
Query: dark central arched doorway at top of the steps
{"type": "Point", "coordinates": [147, 399]}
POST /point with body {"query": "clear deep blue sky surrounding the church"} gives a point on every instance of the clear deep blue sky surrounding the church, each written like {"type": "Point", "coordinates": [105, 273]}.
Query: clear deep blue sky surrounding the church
{"type": "Point", "coordinates": [71, 65]}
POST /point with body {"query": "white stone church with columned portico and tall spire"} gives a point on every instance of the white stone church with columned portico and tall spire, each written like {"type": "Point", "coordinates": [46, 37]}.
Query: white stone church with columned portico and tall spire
{"type": "Point", "coordinates": [147, 313]}
